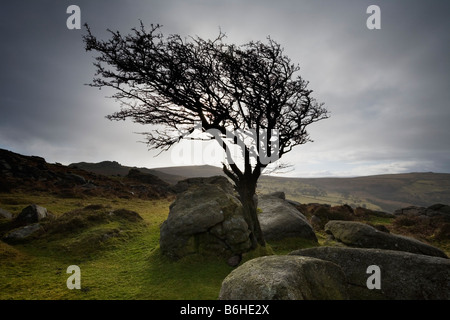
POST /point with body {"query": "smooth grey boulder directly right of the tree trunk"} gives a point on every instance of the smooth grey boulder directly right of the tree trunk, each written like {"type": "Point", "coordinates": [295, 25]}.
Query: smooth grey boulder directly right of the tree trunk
{"type": "Point", "coordinates": [279, 219]}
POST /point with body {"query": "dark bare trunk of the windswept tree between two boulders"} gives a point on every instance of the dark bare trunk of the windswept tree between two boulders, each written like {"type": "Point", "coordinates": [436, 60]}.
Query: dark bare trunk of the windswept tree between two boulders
{"type": "Point", "coordinates": [246, 190]}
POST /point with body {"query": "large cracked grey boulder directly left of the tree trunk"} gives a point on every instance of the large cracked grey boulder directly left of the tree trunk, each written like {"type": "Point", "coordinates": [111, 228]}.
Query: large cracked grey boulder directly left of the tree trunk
{"type": "Point", "coordinates": [205, 218]}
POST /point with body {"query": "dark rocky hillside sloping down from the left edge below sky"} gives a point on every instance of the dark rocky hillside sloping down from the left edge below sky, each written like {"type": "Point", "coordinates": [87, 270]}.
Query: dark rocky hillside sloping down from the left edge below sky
{"type": "Point", "coordinates": [19, 173]}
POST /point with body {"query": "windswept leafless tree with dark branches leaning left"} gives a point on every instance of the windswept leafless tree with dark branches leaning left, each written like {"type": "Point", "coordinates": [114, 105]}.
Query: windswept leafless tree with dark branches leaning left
{"type": "Point", "coordinates": [248, 95]}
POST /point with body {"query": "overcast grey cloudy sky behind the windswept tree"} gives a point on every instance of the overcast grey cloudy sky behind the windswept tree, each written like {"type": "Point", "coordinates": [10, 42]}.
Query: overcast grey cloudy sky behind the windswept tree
{"type": "Point", "coordinates": [387, 90]}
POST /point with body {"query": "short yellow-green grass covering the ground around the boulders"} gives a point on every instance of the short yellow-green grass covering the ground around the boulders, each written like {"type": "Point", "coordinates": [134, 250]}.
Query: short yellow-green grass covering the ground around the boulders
{"type": "Point", "coordinates": [130, 268]}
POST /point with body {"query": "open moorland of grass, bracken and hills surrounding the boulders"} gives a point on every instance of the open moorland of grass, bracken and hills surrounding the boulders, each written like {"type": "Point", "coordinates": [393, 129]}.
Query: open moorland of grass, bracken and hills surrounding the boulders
{"type": "Point", "coordinates": [119, 256]}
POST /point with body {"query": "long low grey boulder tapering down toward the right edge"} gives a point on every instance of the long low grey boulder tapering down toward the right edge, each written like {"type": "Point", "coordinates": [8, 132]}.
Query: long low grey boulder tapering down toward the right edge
{"type": "Point", "coordinates": [356, 234]}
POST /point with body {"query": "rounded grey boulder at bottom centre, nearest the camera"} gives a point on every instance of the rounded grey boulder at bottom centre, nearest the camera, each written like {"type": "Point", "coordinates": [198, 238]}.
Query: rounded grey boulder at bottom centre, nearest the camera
{"type": "Point", "coordinates": [285, 278]}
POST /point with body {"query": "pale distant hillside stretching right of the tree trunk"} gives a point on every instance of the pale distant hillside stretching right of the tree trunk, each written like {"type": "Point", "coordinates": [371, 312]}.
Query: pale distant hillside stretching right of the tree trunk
{"type": "Point", "coordinates": [382, 192]}
